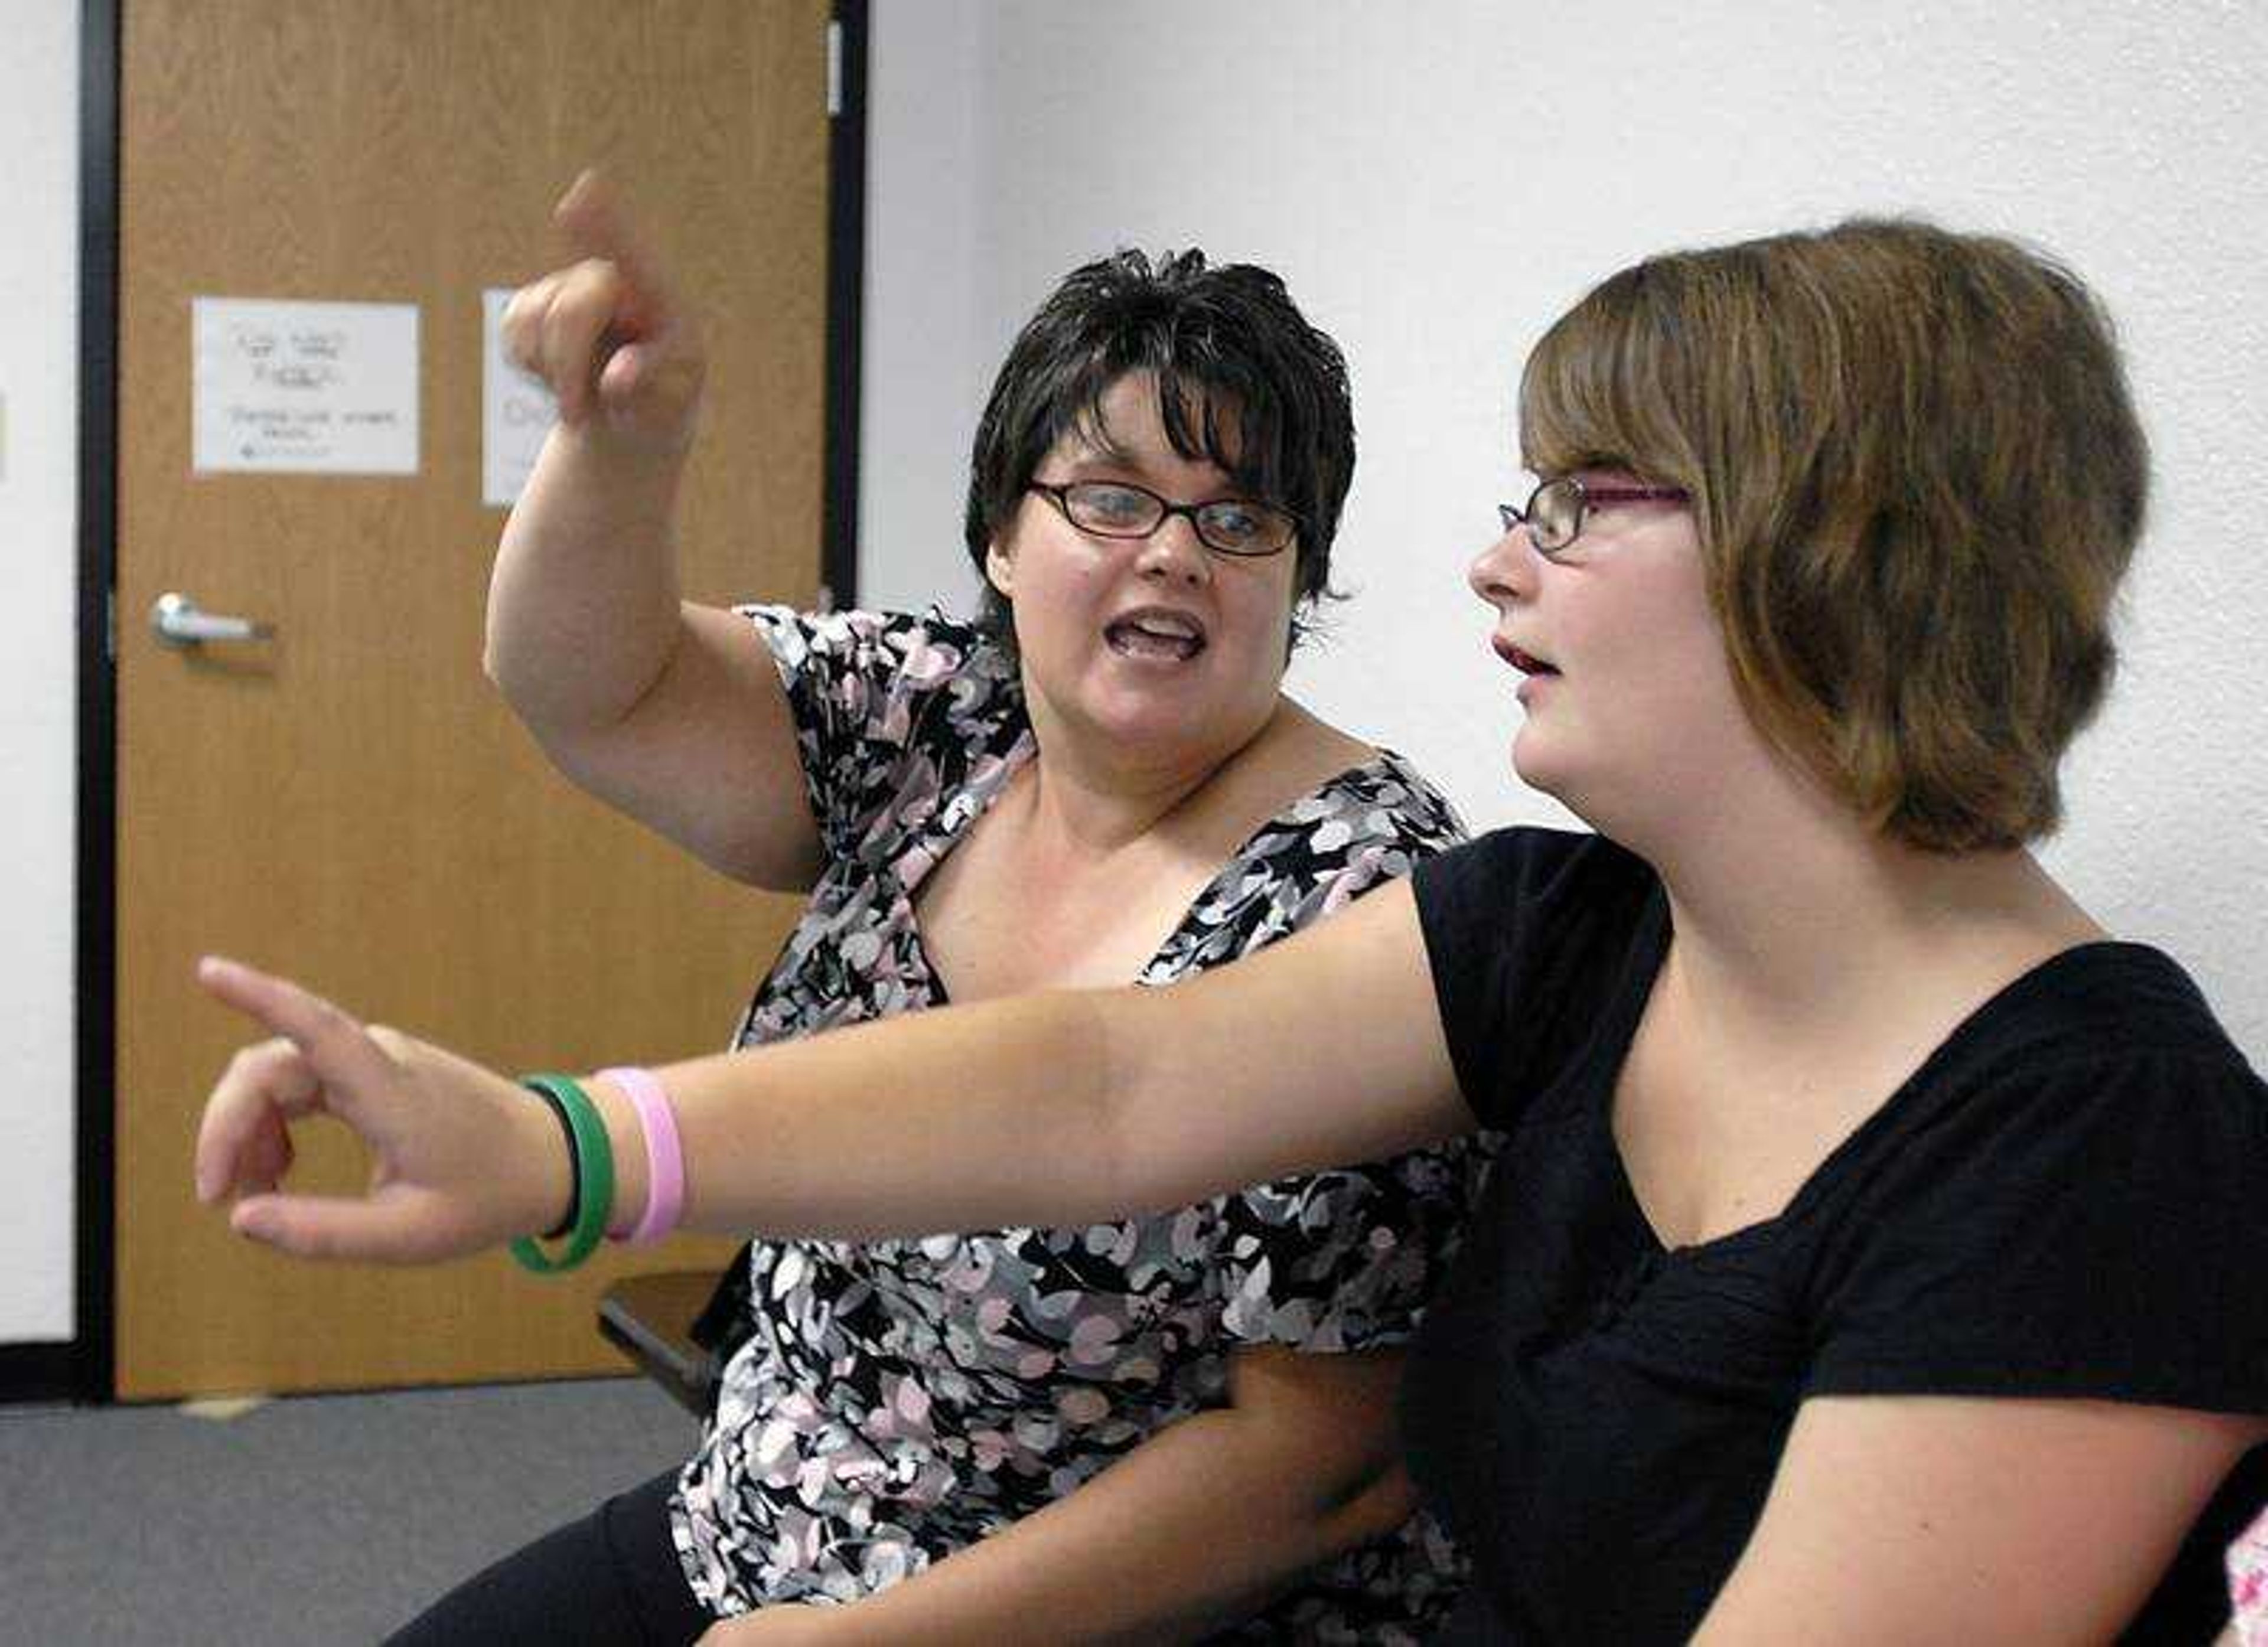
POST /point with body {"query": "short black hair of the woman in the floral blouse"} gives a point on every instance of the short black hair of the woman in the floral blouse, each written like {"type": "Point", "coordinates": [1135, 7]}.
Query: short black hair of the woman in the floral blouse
{"type": "Point", "coordinates": [1244, 382]}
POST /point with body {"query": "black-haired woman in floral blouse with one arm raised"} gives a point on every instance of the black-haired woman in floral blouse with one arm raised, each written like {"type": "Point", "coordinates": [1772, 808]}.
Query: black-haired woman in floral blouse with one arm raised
{"type": "Point", "coordinates": [1097, 784]}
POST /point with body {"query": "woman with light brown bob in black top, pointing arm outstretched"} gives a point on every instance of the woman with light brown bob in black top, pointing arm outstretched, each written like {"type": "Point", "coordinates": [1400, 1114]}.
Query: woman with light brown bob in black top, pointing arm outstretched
{"type": "Point", "coordinates": [1852, 1265]}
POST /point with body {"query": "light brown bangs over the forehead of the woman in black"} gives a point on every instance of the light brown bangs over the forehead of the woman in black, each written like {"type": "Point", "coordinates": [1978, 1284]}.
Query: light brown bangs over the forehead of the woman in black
{"type": "Point", "coordinates": [1611, 387]}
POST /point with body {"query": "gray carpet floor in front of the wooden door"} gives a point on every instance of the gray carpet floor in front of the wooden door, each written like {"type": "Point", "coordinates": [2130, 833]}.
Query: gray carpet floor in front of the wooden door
{"type": "Point", "coordinates": [303, 1521]}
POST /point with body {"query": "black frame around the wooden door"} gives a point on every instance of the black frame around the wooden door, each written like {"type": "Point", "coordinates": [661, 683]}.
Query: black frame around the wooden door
{"type": "Point", "coordinates": [85, 1367]}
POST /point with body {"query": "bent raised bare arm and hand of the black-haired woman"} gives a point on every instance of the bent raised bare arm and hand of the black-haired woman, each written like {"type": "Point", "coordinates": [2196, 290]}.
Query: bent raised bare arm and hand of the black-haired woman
{"type": "Point", "coordinates": [657, 707]}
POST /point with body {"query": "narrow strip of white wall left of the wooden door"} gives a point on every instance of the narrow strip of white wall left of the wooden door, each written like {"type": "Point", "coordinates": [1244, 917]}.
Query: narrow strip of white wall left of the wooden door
{"type": "Point", "coordinates": [40, 380]}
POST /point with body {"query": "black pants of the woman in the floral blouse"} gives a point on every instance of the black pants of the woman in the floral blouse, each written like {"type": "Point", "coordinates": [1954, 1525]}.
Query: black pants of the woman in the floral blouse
{"type": "Point", "coordinates": [609, 1580]}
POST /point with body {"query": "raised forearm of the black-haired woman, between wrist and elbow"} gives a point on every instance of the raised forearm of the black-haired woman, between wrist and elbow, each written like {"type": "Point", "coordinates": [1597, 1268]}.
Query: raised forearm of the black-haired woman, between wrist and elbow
{"type": "Point", "coordinates": [584, 598]}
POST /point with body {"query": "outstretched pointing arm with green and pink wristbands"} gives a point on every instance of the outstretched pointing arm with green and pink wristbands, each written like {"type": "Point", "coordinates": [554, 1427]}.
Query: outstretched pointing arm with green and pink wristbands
{"type": "Point", "coordinates": [1038, 1110]}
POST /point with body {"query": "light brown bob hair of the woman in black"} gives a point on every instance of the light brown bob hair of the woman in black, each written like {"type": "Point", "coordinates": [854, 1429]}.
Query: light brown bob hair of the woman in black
{"type": "Point", "coordinates": [1918, 480]}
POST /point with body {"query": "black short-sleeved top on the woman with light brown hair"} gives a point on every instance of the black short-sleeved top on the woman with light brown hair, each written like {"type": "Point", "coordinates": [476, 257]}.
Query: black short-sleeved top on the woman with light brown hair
{"type": "Point", "coordinates": [2070, 1199]}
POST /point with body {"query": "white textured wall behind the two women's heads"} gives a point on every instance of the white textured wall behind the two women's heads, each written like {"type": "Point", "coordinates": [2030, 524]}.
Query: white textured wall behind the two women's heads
{"type": "Point", "coordinates": [1439, 183]}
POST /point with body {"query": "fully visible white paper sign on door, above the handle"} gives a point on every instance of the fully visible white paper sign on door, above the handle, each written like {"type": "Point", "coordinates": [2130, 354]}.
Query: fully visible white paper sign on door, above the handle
{"type": "Point", "coordinates": [305, 389]}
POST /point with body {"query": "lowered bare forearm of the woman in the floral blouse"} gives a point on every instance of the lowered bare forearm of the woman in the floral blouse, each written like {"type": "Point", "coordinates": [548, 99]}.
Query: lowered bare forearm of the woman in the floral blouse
{"type": "Point", "coordinates": [1199, 1528]}
